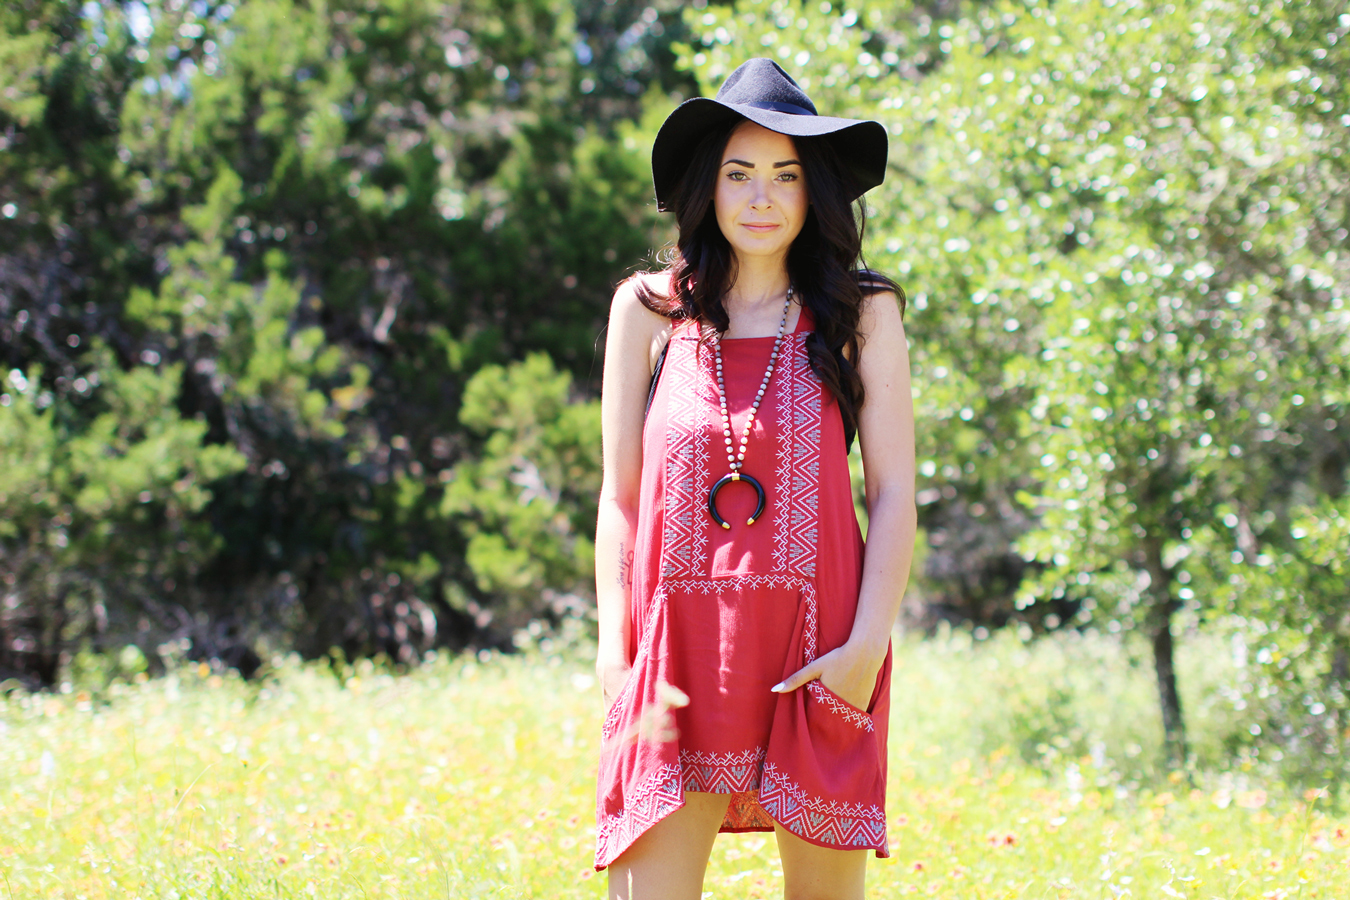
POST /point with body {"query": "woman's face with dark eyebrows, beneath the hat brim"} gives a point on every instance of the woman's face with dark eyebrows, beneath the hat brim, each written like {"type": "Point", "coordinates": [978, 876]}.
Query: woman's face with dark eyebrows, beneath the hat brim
{"type": "Point", "coordinates": [761, 198]}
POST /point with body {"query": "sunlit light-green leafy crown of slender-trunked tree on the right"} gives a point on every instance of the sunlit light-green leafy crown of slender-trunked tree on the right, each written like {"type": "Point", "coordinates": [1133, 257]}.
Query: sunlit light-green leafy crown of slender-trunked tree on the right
{"type": "Point", "coordinates": [1148, 250]}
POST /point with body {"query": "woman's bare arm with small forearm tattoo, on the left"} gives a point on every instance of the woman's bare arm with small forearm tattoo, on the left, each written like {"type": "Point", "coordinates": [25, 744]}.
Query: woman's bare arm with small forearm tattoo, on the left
{"type": "Point", "coordinates": [631, 349]}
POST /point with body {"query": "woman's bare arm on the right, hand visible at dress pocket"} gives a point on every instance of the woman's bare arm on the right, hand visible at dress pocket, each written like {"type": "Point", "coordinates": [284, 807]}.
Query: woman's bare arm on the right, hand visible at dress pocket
{"type": "Point", "coordinates": [886, 437]}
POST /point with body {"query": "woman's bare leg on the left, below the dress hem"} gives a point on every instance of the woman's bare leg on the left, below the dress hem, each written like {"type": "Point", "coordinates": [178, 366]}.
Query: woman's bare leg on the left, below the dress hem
{"type": "Point", "coordinates": [669, 862]}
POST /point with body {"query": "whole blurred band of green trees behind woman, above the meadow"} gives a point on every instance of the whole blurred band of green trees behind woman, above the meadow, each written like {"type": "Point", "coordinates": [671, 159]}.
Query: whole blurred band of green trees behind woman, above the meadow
{"type": "Point", "coordinates": [303, 310]}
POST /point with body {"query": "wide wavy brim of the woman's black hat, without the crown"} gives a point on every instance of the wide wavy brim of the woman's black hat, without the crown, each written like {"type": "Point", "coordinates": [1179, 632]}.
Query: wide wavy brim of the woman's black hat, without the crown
{"type": "Point", "coordinates": [861, 144]}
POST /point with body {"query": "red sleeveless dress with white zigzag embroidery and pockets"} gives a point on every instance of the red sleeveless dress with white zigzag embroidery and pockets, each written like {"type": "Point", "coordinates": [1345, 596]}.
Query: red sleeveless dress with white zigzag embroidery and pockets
{"type": "Point", "coordinates": [727, 615]}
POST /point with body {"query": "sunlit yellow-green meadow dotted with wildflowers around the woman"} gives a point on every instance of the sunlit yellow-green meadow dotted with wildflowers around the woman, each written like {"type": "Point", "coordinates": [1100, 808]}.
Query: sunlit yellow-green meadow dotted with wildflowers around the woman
{"type": "Point", "coordinates": [475, 779]}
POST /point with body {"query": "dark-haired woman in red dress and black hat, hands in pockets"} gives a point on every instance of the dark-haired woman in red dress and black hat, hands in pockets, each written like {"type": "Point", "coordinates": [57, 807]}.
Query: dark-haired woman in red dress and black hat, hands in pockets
{"type": "Point", "coordinates": [745, 636]}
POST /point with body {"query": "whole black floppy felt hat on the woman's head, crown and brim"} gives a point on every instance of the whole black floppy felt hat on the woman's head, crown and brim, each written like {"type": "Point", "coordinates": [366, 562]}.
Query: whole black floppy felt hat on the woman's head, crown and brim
{"type": "Point", "coordinates": [766, 95]}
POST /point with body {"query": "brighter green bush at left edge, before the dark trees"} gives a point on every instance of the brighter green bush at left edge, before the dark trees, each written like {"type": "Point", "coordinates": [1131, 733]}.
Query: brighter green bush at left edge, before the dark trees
{"type": "Point", "coordinates": [99, 505]}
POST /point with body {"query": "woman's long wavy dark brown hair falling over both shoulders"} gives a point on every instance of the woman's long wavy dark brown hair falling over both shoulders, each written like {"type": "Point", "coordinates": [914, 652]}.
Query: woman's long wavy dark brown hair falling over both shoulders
{"type": "Point", "coordinates": [824, 264]}
